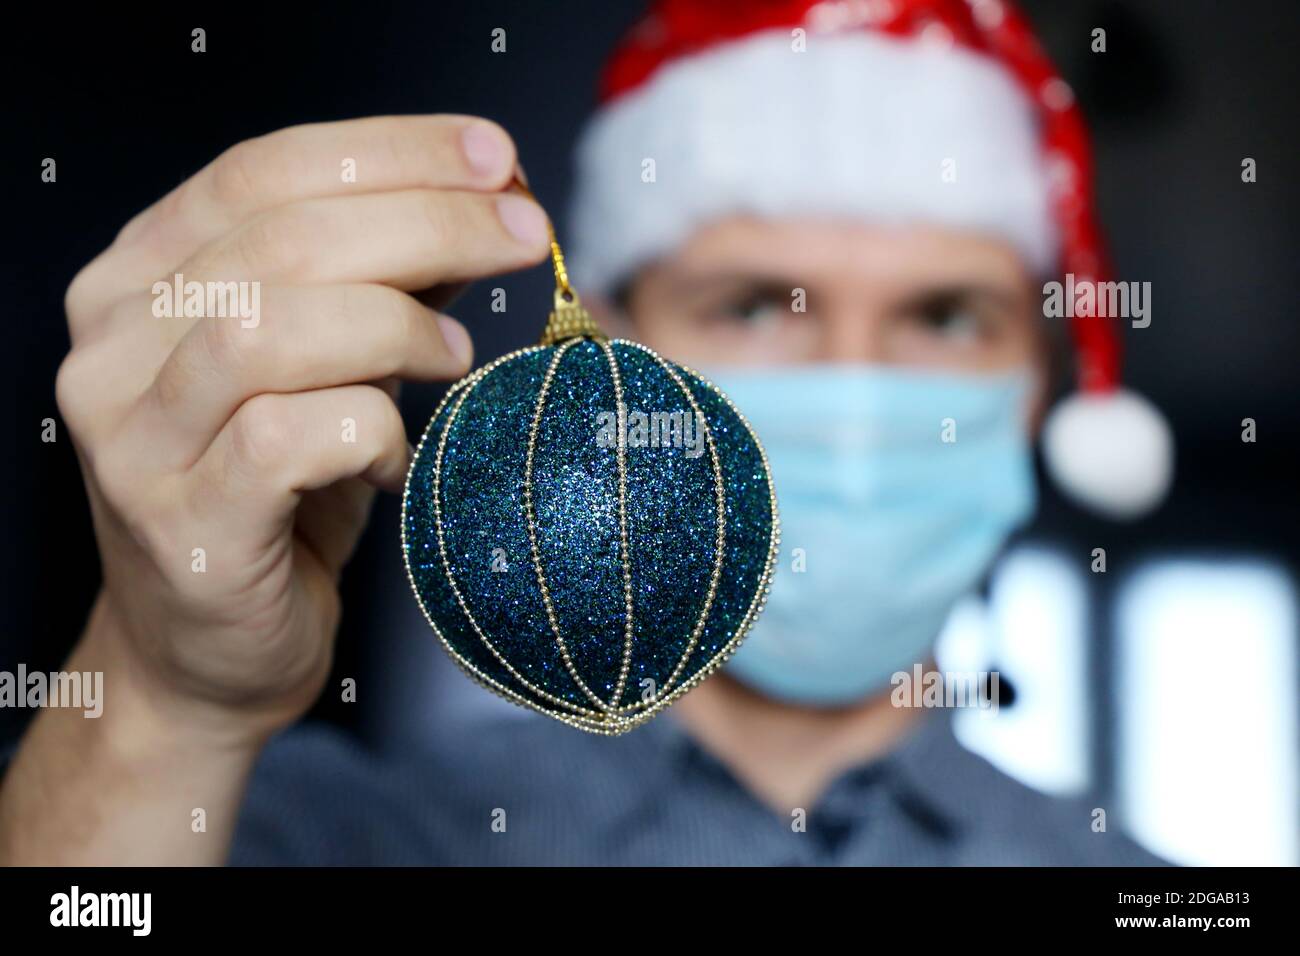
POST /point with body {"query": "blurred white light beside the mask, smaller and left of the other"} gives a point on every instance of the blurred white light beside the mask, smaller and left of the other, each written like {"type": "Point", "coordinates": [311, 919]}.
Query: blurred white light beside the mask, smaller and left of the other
{"type": "Point", "coordinates": [1034, 633]}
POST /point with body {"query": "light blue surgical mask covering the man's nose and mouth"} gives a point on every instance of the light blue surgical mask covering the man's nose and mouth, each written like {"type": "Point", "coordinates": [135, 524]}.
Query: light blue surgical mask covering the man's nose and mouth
{"type": "Point", "coordinates": [896, 491]}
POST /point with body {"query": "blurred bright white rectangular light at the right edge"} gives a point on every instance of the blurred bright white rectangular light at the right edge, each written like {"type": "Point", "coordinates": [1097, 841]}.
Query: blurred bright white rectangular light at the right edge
{"type": "Point", "coordinates": [1208, 739]}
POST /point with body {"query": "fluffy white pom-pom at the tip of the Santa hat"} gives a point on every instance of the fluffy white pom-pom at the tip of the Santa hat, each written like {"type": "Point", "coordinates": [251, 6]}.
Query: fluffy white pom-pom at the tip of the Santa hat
{"type": "Point", "coordinates": [1112, 452]}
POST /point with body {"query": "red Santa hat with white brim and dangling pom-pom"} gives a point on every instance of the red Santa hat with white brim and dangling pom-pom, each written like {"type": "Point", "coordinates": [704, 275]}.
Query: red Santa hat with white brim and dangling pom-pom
{"type": "Point", "coordinates": [889, 111]}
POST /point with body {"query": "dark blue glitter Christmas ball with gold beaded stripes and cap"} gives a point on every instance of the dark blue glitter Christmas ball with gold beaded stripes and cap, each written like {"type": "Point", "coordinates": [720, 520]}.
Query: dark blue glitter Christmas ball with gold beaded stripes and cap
{"type": "Point", "coordinates": [590, 529]}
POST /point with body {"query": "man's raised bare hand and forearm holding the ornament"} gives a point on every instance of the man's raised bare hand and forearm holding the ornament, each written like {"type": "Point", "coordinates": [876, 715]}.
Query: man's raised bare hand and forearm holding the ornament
{"type": "Point", "coordinates": [231, 465]}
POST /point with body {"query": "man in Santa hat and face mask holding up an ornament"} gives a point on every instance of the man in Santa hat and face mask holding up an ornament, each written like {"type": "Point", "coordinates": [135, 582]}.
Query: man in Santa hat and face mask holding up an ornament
{"type": "Point", "coordinates": [798, 150]}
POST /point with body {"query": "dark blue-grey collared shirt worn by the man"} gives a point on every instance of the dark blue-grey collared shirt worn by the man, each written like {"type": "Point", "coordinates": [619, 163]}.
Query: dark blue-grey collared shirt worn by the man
{"type": "Point", "coordinates": [535, 793]}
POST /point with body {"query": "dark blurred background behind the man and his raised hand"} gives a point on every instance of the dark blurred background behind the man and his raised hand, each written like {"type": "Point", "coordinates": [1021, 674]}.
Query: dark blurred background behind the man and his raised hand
{"type": "Point", "coordinates": [1185, 93]}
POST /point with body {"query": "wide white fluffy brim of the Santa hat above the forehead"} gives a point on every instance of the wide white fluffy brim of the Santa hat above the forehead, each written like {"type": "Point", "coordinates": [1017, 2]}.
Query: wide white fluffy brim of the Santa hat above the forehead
{"type": "Point", "coordinates": [859, 126]}
